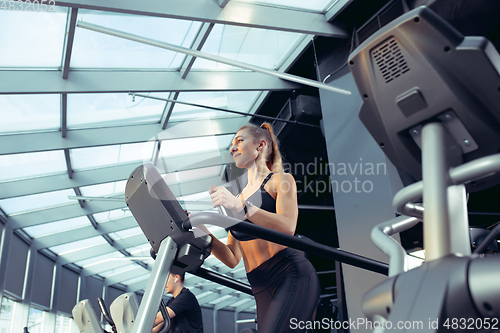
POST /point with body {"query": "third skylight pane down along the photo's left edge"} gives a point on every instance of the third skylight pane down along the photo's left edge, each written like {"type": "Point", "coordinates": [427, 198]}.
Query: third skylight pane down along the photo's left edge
{"type": "Point", "coordinates": [29, 165]}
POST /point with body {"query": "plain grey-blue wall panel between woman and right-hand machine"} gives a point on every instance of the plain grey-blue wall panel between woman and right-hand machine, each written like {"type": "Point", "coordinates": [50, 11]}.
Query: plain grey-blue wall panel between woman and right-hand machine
{"type": "Point", "coordinates": [362, 192]}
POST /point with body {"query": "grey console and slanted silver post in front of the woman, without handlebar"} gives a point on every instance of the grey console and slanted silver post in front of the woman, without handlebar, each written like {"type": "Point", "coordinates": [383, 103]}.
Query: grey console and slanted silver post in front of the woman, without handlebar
{"type": "Point", "coordinates": [160, 217]}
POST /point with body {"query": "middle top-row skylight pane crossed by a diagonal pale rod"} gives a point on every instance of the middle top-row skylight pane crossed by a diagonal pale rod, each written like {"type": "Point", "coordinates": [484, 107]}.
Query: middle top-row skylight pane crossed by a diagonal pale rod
{"type": "Point", "coordinates": [96, 50]}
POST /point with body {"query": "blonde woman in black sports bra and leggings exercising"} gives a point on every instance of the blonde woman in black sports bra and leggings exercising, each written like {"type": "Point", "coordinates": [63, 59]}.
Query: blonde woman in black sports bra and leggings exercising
{"type": "Point", "coordinates": [284, 283]}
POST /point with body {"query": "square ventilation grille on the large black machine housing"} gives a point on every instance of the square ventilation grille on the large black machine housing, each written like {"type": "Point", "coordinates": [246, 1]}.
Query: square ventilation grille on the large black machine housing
{"type": "Point", "coordinates": [390, 60]}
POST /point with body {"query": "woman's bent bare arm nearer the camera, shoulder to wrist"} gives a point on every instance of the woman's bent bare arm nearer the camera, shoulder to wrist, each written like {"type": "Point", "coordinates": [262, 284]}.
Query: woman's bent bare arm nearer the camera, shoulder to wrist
{"type": "Point", "coordinates": [287, 211]}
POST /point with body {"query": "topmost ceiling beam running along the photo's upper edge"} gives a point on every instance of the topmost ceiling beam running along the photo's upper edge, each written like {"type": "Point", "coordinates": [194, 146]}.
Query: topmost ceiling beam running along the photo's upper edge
{"type": "Point", "coordinates": [233, 13]}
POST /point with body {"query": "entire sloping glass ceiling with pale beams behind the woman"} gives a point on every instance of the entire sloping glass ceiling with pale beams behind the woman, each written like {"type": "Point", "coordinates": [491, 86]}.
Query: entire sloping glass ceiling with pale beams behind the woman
{"type": "Point", "coordinates": [101, 133]}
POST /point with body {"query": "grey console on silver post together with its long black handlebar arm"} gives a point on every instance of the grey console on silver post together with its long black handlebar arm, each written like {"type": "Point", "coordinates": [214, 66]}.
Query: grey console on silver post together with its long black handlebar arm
{"type": "Point", "coordinates": [177, 249]}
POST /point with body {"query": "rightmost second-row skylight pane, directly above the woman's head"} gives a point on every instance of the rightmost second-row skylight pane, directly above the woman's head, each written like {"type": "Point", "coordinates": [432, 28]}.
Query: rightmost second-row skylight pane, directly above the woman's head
{"type": "Point", "coordinates": [240, 101]}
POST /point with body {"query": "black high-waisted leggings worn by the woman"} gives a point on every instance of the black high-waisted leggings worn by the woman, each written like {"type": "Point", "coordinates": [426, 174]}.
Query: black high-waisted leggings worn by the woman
{"type": "Point", "coordinates": [285, 287]}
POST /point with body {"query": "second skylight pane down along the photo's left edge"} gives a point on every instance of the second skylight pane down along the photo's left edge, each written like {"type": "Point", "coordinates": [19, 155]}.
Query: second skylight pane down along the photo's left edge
{"type": "Point", "coordinates": [25, 113]}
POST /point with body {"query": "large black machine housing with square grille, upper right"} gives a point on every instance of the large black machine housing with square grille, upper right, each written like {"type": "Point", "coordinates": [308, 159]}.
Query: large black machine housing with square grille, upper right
{"type": "Point", "coordinates": [456, 82]}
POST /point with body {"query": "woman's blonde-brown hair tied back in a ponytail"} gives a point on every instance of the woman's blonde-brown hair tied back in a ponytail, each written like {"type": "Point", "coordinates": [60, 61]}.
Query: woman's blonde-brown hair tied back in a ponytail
{"type": "Point", "coordinates": [265, 132]}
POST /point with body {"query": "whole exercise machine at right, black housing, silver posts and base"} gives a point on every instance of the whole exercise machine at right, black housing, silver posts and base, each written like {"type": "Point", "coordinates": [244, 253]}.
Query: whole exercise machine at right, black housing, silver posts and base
{"type": "Point", "coordinates": [430, 100]}
